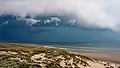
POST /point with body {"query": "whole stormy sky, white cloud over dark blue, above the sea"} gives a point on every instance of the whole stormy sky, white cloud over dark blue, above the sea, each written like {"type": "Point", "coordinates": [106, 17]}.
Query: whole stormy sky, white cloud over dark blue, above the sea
{"type": "Point", "coordinates": [94, 15]}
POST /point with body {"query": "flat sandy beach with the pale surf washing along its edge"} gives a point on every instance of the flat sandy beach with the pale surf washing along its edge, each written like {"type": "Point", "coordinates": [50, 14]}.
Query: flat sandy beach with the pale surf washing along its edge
{"type": "Point", "coordinates": [97, 53]}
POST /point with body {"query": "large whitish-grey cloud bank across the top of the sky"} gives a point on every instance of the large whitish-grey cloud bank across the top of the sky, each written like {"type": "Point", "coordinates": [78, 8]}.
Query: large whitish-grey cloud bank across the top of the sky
{"type": "Point", "coordinates": [94, 13]}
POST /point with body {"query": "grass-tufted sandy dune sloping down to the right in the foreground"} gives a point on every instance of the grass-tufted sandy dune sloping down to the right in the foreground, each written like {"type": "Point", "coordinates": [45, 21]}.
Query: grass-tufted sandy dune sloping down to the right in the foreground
{"type": "Point", "coordinates": [20, 56]}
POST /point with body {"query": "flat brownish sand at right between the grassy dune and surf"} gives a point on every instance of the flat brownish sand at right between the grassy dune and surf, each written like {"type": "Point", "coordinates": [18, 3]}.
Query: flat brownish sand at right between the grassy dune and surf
{"type": "Point", "coordinates": [109, 56]}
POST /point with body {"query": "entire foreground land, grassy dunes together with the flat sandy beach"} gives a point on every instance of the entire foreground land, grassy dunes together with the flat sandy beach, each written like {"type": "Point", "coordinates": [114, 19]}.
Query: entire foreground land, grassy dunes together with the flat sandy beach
{"type": "Point", "coordinates": [17, 55]}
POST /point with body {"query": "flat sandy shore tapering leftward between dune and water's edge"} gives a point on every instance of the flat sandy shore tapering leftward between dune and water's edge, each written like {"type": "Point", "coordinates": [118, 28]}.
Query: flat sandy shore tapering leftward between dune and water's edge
{"type": "Point", "coordinates": [103, 55]}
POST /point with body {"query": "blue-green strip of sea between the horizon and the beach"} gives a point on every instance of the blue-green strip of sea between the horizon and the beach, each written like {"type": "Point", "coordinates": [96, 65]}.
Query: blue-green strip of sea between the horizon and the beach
{"type": "Point", "coordinates": [86, 46]}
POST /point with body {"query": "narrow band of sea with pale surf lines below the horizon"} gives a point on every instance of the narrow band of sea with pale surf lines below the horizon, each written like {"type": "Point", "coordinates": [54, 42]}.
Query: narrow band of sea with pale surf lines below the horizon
{"type": "Point", "coordinates": [79, 46]}
